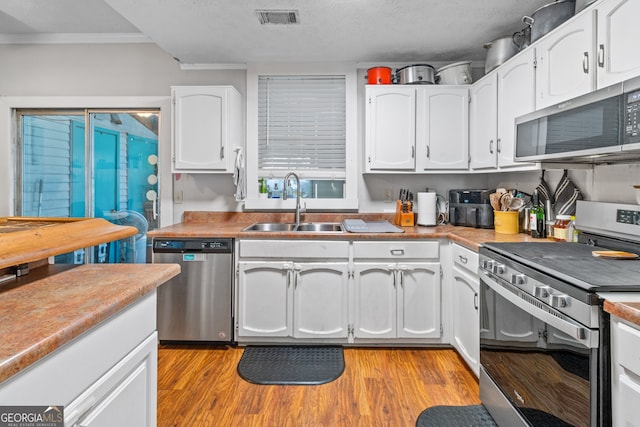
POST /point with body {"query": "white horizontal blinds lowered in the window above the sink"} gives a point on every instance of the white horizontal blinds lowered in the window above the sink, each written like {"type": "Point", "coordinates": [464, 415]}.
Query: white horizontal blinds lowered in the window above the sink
{"type": "Point", "coordinates": [301, 123]}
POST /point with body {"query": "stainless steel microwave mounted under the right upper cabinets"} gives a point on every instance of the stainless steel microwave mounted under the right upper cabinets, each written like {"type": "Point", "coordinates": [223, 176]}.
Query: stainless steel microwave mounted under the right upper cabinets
{"type": "Point", "coordinates": [599, 127]}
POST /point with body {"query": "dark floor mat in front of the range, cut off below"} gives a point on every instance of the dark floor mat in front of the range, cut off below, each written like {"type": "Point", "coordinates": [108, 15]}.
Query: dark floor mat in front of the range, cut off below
{"type": "Point", "coordinates": [468, 416]}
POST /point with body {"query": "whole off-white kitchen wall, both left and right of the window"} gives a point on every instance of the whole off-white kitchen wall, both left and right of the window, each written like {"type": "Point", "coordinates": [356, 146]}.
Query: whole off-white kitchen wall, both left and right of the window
{"type": "Point", "coordinates": [143, 70]}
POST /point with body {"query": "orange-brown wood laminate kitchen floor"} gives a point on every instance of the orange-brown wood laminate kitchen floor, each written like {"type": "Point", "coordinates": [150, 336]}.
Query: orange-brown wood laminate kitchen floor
{"type": "Point", "coordinates": [200, 387]}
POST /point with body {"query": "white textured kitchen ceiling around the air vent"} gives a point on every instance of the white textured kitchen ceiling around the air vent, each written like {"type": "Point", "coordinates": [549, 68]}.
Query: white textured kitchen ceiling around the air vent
{"type": "Point", "coordinates": [228, 31]}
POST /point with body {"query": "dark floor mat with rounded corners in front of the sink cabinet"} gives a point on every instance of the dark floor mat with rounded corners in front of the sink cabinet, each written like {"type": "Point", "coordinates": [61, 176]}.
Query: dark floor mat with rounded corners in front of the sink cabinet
{"type": "Point", "coordinates": [287, 365]}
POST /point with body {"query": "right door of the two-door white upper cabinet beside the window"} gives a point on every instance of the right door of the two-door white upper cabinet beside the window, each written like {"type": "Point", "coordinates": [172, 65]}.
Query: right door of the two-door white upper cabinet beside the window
{"type": "Point", "coordinates": [442, 128]}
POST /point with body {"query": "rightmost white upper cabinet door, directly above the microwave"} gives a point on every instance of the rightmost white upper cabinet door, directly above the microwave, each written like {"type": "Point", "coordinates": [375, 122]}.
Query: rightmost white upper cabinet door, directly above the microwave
{"type": "Point", "coordinates": [618, 51]}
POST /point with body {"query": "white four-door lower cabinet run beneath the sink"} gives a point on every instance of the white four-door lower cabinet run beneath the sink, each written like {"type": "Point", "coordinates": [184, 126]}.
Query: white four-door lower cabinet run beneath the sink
{"type": "Point", "coordinates": [339, 292]}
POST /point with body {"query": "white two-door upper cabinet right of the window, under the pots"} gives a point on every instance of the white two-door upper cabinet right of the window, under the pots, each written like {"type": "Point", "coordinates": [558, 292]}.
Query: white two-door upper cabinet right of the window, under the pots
{"type": "Point", "coordinates": [417, 128]}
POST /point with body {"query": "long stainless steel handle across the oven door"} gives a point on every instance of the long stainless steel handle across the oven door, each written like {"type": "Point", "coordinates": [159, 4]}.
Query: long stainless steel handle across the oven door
{"type": "Point", "coordinates": [584, 336]}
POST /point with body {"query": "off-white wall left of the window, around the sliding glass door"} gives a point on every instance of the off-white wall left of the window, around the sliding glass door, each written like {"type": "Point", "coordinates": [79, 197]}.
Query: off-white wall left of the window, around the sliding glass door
{"type": "Point", "coordinates": [133, 70]}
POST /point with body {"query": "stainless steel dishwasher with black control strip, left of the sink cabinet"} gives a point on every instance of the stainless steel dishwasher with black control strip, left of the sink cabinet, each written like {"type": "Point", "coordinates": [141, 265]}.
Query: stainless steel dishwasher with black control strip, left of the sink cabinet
{"type": "Point", "coordinates": [196, 305]}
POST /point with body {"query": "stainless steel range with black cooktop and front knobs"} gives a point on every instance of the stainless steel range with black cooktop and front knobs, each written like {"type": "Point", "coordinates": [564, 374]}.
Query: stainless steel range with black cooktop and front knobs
{"type": "Point", "coordinates": [544, 338]}
